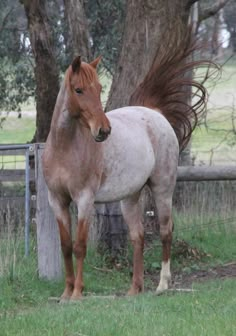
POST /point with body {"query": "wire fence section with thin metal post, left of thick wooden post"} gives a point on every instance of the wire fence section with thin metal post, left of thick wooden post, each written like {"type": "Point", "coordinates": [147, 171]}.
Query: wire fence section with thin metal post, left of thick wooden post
{"type": "Point", "coordinates": [15, 178]}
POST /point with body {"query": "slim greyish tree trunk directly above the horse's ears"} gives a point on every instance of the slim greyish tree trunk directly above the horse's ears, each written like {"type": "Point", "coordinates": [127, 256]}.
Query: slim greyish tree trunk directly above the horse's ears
{"type": "Point", "coordinates": [78, 27]}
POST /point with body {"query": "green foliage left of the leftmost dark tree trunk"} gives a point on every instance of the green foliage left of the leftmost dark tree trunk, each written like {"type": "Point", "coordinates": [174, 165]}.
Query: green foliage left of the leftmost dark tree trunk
{"type": "Point", "coordinates": [16, 70]}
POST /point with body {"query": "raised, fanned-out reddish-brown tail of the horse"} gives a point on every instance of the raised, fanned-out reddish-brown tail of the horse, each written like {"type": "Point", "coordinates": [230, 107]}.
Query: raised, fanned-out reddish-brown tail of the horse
{"type": "Point", "coordinates": [169, 83]}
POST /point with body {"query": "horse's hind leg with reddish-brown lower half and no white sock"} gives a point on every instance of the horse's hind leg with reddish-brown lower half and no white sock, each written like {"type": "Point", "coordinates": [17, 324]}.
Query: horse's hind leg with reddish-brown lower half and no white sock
{"type": "Point", "coordinates": [133, 217]}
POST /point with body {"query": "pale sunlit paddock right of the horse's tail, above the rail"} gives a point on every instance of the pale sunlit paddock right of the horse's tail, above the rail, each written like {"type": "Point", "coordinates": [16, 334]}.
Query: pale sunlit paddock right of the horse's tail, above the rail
{"type": "Point", "coordinates": [215, 142]}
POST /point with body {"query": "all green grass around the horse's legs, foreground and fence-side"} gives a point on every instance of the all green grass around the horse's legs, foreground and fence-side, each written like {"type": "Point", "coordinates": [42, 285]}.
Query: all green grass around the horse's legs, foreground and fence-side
{"type": "Point", "coordinates": [210, 310]}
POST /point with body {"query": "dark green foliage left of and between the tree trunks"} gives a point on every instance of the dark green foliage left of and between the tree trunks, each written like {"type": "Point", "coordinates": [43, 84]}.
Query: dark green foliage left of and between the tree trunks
{"type": "Point", "coordinates": [106, 20]}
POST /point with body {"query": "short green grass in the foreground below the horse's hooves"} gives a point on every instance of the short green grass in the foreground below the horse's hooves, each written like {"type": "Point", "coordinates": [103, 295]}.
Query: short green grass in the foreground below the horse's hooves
{"type": "Point", "coordinates": [211, 311]}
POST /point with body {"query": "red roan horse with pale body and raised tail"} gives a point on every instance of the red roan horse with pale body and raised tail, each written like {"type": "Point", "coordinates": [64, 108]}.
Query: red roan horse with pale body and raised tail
{"type": "Point", "coordinates": [92, 157]}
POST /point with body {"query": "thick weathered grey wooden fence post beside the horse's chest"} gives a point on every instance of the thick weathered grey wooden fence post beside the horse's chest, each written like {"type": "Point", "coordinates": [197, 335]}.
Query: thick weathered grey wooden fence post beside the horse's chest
{"type": "Point", "coordinates": [48, 243]}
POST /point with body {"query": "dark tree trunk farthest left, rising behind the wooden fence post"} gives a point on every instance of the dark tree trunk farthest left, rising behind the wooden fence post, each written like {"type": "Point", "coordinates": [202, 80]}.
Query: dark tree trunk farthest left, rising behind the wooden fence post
{"type": "Point", "coordinates": [46, 72]}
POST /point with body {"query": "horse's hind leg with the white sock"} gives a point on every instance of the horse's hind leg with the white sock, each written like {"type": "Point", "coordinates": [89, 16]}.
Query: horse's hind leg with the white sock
{"type": "Point", "coordinates": [163, 197]}
